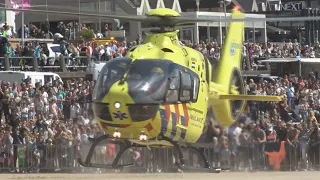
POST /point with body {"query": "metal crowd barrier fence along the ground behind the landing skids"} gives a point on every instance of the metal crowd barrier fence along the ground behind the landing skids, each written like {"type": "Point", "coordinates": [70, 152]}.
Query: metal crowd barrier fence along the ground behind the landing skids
{"type": "Point", "coordinates": [261, 157]}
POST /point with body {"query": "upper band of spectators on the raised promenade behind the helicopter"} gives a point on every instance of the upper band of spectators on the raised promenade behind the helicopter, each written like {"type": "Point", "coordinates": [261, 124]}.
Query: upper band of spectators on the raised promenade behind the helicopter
{"type": "Point", "coordinates": [252, 52]}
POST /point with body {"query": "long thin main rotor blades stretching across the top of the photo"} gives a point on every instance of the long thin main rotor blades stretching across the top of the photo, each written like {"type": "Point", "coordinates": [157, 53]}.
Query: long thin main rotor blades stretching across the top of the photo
{"type": "Point", "coordinates": [167, 20]}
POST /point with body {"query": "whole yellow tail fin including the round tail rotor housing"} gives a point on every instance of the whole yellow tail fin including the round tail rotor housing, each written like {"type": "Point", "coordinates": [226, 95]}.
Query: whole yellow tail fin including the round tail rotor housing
{"type": "Point", "coordinates": [227, 110]}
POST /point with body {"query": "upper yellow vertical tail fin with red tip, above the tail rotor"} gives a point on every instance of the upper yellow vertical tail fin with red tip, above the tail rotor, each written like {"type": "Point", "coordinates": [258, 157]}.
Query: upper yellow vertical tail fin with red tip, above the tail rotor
{"type": "Point", "coordinates": [232, 50]}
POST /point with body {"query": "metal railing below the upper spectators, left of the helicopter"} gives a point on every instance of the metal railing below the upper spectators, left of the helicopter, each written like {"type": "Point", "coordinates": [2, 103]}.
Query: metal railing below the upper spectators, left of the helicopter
{"type": "Point", "coordinates": [60, 64]}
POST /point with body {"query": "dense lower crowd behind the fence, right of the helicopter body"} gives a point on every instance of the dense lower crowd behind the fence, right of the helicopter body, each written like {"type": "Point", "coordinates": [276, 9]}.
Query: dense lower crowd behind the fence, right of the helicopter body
{"type": "Point", "coordinates": [294, 120]}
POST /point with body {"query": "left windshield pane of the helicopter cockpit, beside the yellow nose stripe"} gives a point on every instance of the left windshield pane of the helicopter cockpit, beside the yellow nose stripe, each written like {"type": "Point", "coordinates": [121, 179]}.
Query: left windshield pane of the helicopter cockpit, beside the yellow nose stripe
{"type": "Point", "coordinates": [112, 72]}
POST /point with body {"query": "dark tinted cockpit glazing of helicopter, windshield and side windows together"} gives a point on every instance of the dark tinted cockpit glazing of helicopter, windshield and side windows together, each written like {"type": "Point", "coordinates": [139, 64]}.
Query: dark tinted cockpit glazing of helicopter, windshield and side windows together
{"type": "Point", "coordinates": [150, 81]}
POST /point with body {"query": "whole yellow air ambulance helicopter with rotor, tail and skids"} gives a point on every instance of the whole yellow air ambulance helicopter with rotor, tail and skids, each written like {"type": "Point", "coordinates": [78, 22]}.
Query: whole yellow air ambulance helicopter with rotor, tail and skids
{"type": "Point", "coordinates": [160, 93]}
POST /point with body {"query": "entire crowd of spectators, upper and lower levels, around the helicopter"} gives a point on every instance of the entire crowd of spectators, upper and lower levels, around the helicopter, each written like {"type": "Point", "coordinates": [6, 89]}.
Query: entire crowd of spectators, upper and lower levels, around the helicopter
{"type": "Point", "coordinates": [48, 125]}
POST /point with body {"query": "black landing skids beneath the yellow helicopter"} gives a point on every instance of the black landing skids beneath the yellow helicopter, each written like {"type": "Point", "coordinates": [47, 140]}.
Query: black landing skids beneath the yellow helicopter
{"type": "Point", "coordinates": [125, 145]}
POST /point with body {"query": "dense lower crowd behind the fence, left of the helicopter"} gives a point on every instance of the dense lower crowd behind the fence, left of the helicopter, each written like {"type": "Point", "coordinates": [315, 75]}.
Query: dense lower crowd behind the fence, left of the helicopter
{"type": "Point", "coordinates": [35, 117]}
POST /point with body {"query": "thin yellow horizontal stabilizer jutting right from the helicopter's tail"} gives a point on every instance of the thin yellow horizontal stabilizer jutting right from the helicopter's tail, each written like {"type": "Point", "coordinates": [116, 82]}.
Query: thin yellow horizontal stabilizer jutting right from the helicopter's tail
{"type": "Point", "coordinates": [251, 97]}
